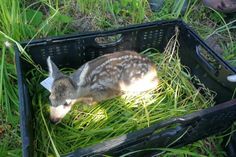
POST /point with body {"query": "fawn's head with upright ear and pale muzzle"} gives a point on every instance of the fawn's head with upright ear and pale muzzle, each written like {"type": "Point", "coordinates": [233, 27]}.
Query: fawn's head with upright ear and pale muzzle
{"type": "Point", "coordinates": [63, 93]}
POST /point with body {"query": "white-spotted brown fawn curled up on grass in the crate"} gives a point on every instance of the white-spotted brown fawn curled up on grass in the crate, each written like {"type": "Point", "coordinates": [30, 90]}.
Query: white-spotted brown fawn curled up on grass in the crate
{"type": "Point", "coordinates": [102, 78]}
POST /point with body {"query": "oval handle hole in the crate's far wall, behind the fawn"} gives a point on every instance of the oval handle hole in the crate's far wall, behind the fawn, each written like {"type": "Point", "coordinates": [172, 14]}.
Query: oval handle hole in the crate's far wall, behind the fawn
{"type": "Point", "coordinates": [108, 40]}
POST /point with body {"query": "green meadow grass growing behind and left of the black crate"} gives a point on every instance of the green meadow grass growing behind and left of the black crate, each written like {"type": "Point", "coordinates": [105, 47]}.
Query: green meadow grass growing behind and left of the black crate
{"type": "Point", "coordinates": [27, 20]}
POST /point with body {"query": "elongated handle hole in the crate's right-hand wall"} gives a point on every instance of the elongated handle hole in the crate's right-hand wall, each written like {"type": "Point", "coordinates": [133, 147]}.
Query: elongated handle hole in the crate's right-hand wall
{"type": "Point", "coordinates": [209, 60]}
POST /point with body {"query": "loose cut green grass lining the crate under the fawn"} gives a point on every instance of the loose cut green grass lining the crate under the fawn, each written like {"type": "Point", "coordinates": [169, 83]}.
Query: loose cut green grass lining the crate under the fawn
{"type": "Point", "coordinates": [87, 125]}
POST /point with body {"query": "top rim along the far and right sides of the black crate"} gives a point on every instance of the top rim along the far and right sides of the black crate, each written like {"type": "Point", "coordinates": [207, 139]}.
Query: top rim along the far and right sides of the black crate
{"type": "Point", "coordinates": [101, 33]}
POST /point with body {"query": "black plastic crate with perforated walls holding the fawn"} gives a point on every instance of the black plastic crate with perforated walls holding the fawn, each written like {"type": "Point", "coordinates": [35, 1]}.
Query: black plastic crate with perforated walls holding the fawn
{"type": "Point", "coordinates": [74, 50]}
